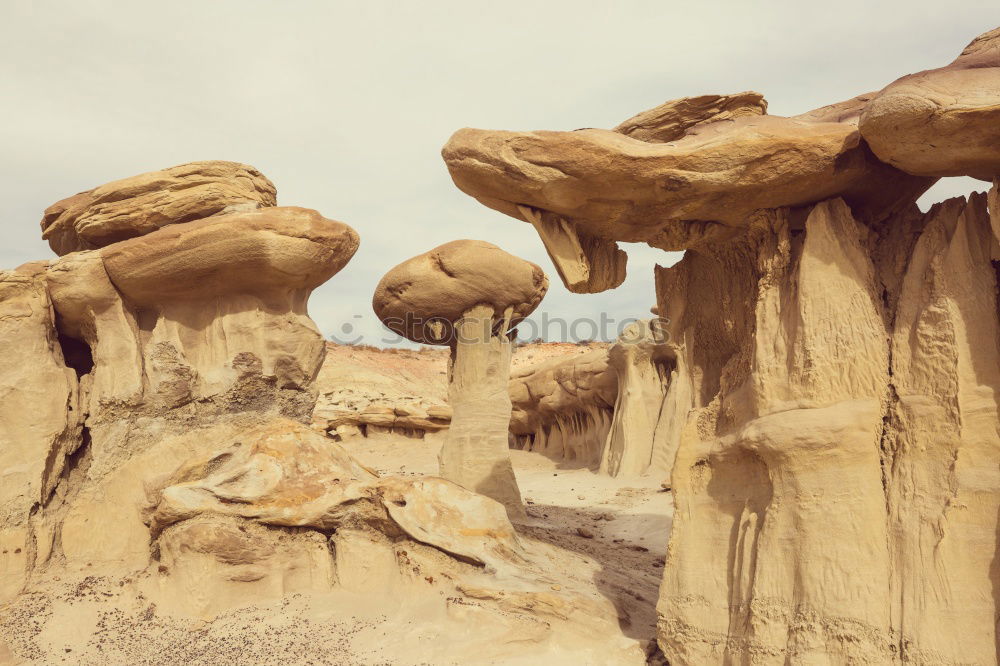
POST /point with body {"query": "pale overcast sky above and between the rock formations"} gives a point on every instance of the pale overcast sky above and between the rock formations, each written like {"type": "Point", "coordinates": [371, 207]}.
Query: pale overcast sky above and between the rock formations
{"type": "Point", "coordinates": [345, 105]}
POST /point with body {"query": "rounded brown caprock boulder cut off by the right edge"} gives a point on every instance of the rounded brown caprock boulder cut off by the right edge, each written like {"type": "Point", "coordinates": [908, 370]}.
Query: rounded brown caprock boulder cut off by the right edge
{"type": "Point", "coordinates": [945, 121]}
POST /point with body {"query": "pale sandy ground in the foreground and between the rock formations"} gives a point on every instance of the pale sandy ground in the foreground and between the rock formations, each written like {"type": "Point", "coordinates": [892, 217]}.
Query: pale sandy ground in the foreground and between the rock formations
{"type": "Point", "coordinates": [618, 528]}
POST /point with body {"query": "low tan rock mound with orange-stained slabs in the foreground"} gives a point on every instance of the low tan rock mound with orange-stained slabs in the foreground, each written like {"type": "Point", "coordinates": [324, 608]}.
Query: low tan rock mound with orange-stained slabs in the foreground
{"type": "Point", "coordinates": [253, 526]}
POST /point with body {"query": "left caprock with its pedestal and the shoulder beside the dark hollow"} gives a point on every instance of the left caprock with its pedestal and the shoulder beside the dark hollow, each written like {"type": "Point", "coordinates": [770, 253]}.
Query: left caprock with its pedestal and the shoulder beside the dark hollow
{"type": "Point", "coordinates": [193, 310]}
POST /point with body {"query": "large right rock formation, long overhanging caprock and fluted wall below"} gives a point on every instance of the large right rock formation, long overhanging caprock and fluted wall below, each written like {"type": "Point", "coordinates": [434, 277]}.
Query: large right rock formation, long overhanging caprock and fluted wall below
{"type": "Point", "coordinates": [835, 363]}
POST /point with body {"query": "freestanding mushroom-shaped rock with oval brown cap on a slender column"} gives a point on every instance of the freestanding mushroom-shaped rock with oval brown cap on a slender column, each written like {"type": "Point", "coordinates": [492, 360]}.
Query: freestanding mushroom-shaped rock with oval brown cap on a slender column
{"type": "Point", "coordinates": [469, 295]}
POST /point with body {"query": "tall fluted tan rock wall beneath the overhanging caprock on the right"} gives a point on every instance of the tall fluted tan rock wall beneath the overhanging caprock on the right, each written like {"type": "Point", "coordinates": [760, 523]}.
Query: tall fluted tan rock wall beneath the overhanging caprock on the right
{"type": "Point", "coordinates": [787, 406]}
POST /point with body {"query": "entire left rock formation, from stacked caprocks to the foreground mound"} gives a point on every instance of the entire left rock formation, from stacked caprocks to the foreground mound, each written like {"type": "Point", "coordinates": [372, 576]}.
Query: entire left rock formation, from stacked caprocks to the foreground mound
{"type": "Point", "coordinates": [157, 467]}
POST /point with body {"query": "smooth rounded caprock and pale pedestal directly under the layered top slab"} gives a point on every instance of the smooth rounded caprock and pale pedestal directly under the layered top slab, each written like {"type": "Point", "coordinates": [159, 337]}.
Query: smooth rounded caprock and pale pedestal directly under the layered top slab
{"type": "Point", "coordinates": [227, 295]}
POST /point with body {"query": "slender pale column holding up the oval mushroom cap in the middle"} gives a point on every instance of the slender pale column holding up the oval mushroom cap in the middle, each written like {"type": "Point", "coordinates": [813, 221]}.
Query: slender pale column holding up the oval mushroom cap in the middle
{"type": "Point", "coordinates": [475, 453]}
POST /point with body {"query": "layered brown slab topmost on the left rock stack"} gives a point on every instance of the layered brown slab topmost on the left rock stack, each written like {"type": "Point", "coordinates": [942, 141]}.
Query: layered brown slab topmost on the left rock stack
{"type": "Point", "coordinates": [140, 204]}
